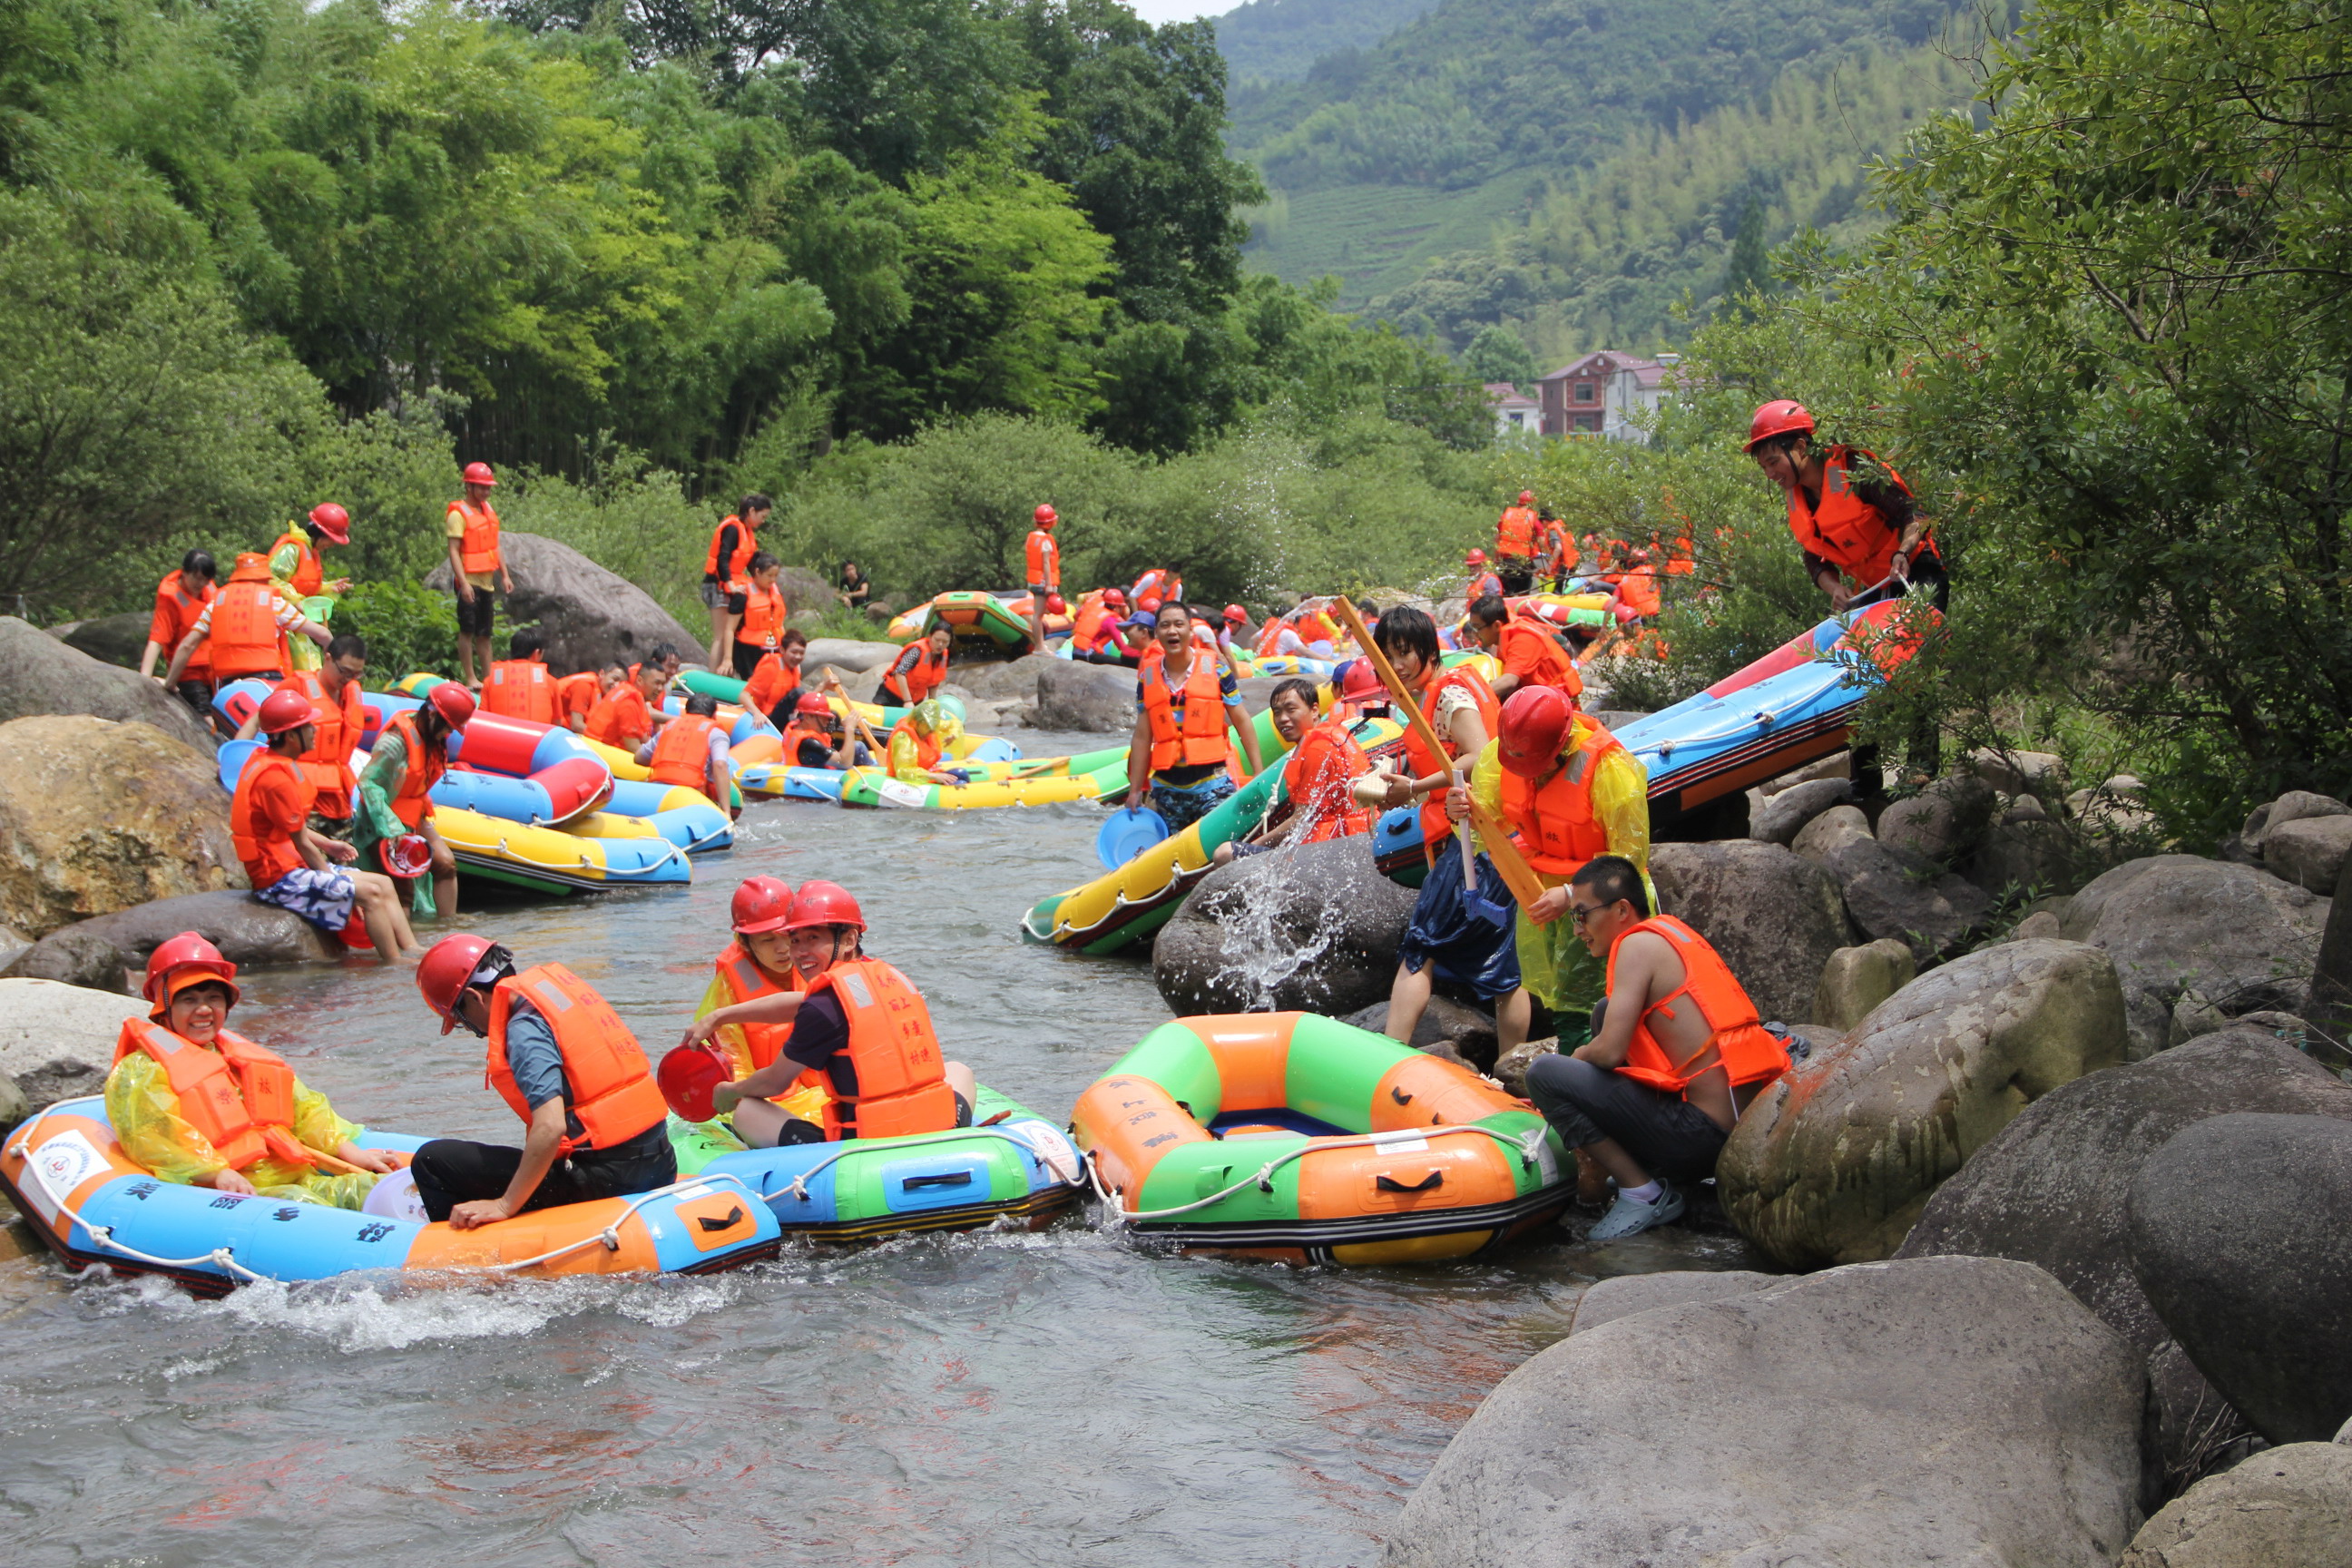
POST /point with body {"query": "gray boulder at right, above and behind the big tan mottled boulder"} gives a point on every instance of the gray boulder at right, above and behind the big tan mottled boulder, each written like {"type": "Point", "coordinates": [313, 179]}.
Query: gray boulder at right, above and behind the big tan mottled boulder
{"type": "Point", "coordinates": [2240, 939]}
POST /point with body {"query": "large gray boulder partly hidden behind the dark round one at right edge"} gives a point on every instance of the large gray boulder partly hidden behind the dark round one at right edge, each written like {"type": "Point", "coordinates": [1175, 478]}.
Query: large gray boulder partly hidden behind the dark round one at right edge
{"type": "Point", "coordinates": [2052, 1191]}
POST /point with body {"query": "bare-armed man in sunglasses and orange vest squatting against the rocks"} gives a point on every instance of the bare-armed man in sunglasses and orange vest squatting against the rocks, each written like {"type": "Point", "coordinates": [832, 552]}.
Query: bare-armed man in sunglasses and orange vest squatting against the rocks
{"type": "Point", "coordinates": [1676, 1059]}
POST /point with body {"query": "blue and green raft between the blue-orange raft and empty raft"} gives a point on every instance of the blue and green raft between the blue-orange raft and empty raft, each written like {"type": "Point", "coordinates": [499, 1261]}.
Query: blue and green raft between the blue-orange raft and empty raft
{"type": "Point", "coordinates": [1010, 1167]}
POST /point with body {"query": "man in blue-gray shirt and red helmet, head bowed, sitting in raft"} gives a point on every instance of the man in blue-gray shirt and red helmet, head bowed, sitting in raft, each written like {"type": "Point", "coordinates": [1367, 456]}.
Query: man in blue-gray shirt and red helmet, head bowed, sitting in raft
{"type": "Point", "coordinates": [563, 1061]}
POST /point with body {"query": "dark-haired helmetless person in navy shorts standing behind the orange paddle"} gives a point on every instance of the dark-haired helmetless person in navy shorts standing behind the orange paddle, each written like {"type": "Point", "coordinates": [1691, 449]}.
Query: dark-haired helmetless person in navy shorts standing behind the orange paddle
{"type": "Point", "coordinates": [1445, 934]}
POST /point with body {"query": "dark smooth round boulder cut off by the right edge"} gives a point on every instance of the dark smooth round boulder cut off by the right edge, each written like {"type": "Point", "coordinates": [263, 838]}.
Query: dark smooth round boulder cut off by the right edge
{"type": "Point", "coordinates": [2243, 1240]}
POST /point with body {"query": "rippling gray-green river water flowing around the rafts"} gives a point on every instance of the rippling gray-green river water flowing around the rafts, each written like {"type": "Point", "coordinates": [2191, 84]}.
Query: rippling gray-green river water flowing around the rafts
{"type": "Point", "coordinates": [996, 1398]}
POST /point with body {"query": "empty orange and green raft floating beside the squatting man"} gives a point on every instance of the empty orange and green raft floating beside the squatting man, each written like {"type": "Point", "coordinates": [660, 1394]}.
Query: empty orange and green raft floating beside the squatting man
{"type": "Point", "coordinates": [1302, 1139]}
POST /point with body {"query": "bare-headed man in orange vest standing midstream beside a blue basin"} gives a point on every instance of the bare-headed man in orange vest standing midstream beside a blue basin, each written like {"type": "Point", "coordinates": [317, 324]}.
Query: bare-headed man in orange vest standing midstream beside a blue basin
{"type": "Point", "coordinates": [1180, 749]}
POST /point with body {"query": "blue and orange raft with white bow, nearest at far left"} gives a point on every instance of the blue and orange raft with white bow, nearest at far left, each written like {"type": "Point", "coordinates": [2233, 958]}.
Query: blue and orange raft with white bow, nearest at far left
{"type": "Point", "coordinates": [95, 1207]}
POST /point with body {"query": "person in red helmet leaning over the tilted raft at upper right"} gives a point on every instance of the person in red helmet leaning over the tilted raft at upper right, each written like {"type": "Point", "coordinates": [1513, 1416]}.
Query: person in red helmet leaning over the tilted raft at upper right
{"type": "Point", "coordinates": [1855, 521]}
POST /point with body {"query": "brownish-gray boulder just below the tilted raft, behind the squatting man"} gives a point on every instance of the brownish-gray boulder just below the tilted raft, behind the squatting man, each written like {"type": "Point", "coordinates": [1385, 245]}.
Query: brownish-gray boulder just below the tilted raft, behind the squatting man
{"type": "Point", "coordinates": [1772, 916]}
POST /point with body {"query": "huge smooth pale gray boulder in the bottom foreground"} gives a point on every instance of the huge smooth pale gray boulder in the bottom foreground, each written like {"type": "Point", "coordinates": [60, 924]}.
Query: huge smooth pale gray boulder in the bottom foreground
{"type": "Point", "coordinates": [1930, 1412]}
